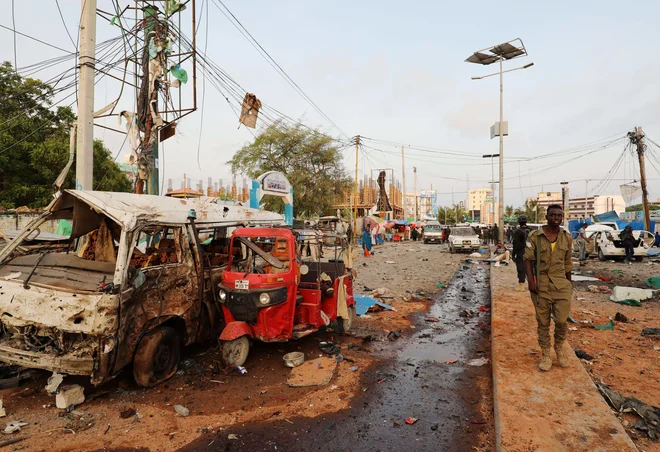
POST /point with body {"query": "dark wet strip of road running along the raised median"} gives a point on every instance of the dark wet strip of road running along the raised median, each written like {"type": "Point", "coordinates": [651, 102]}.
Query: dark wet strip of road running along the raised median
{"type": "Point", "coordinates": [428, 380]}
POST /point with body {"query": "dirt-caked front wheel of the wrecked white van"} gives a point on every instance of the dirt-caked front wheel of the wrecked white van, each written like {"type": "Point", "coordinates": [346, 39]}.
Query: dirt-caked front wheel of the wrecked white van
{"type": "Point", "coordinates": [157, 357]}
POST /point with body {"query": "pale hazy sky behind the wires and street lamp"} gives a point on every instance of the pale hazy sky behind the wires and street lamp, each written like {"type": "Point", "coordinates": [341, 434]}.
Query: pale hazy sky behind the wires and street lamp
{"type": "Point", "coordinates": [395, 73]}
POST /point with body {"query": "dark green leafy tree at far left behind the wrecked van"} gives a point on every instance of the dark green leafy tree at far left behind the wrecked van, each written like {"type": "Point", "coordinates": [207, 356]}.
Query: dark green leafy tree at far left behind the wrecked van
{"type": "Point", "coordinates": [34, 144]}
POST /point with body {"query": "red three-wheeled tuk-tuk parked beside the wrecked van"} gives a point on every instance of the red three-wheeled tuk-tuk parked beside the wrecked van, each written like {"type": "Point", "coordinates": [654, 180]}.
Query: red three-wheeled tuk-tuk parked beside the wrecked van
{"type": "Point", "coordinates": [278, 286]}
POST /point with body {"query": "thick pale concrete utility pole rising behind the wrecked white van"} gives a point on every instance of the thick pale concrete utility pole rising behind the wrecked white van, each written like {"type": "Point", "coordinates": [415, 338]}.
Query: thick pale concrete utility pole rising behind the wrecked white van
{"type": "Point", "coordinates": [85, 141]}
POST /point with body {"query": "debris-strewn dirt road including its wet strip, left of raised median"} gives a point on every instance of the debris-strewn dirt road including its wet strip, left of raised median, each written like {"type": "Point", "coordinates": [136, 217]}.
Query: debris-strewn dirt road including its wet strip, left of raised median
{"type": "Point", "coordinates": [450, 400]}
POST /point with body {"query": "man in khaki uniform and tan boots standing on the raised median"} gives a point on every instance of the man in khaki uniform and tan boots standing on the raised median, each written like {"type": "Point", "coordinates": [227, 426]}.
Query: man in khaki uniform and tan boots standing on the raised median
{"type": "Point", "coordinates": [548, 266]}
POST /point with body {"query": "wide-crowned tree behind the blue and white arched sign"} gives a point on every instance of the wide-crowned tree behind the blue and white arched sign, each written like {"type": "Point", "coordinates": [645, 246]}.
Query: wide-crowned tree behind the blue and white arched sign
{"type": "Point", "coordinates": [309, 159]}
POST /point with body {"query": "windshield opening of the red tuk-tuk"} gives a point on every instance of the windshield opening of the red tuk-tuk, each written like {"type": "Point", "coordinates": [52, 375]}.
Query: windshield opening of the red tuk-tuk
{"type": "Point", "coordinates": [260, 255]}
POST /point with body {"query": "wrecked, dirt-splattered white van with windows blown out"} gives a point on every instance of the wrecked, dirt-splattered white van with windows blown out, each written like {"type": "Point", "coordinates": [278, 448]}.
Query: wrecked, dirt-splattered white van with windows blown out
{"type": "Point", "coordinates": [134, 283]}
